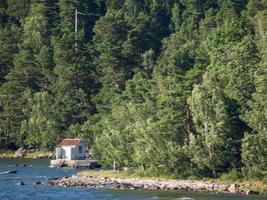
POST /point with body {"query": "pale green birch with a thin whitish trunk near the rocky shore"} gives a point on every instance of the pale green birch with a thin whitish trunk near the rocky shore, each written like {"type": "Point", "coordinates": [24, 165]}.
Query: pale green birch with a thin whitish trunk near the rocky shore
{"type": "Point", "coordinates": [211, 147]}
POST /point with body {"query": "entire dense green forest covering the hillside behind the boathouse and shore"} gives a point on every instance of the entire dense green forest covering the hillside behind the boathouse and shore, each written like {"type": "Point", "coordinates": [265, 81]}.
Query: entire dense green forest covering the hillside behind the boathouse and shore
{"type": "Point", "coordinates": [173, 88]}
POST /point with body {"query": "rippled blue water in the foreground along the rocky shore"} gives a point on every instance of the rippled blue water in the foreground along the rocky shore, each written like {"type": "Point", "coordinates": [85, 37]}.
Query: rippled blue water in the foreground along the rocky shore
{"type": "Point", "coordinates": [38, 170]}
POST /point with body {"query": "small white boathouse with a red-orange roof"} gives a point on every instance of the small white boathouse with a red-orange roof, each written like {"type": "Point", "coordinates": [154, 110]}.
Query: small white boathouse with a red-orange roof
{"type": "Point", "coordinates": [71, 149]}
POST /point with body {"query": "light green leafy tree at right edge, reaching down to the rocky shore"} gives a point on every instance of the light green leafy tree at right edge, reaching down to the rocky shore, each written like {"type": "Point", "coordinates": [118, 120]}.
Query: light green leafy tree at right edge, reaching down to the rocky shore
{"type": "Point", "coordinates": [254, 143]}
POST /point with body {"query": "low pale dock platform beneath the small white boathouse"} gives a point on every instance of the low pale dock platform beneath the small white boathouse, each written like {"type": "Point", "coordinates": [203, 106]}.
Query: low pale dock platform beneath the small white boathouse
{"type": "Point", "coordinates": [88, 163]}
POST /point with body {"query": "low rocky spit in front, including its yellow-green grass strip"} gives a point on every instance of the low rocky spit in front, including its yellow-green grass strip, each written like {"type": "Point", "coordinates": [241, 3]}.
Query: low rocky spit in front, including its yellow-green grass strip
{"type": "Point", "coordinates": [131, 180]}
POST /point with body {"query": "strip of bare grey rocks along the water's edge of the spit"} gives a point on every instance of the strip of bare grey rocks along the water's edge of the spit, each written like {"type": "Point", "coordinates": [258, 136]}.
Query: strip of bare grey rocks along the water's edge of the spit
{"type": "Point", "coordinates": [146, 184]}
